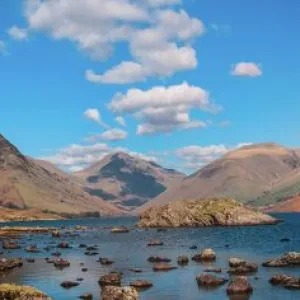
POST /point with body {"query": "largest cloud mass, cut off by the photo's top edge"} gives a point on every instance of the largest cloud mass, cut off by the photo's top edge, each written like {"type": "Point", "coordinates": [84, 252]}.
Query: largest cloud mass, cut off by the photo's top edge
{"type": "Point", "coordinates": [158, 34]}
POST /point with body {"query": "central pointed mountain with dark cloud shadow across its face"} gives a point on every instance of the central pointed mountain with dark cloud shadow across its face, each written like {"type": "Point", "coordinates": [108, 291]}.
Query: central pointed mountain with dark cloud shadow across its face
{"type": "Point", "coordinates": [127, 181]}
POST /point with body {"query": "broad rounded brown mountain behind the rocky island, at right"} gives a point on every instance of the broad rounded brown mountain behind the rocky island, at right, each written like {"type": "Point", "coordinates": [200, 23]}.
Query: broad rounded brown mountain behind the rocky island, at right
{"type": "Point", "coordinates": [252, 174]}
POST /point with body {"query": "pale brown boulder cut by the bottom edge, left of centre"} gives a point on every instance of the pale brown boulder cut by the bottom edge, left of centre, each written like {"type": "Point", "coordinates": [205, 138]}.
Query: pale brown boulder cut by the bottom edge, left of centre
{"type": "Point", "coordinates": [119, 293]}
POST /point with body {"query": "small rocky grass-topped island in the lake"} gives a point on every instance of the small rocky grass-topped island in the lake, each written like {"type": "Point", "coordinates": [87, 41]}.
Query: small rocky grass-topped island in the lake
{"type": "Point", "coordinates": [202, 213]}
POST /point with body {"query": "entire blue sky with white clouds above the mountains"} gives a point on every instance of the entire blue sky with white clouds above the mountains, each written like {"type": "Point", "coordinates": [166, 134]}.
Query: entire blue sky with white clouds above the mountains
{"type": "Point", "coordinates": [178, 82]}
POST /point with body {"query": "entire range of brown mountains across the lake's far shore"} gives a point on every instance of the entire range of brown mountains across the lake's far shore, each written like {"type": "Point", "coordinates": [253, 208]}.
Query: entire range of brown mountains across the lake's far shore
{"type": "Point", "coordinates": [264, 175]}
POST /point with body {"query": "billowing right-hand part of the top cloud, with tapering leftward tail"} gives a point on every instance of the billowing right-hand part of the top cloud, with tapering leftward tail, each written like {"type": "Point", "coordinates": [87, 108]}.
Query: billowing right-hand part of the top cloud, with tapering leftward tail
{"type": "Point", "coordinates": [156, 50]}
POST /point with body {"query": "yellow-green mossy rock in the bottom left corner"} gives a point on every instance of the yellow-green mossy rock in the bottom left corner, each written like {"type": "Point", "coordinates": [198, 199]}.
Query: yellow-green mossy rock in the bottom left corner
{"type": "Point", "coordinates": [21, 292]}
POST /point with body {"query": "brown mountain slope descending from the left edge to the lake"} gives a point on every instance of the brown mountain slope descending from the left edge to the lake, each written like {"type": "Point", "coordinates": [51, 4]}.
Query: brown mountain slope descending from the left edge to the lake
{"type": "Point", "coordinates": [27, 183]}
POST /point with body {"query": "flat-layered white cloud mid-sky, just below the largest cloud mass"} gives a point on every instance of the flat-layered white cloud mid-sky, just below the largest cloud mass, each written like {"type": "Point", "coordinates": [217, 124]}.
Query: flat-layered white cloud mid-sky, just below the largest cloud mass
{"type": "Point", "coordinates": [163, 109]}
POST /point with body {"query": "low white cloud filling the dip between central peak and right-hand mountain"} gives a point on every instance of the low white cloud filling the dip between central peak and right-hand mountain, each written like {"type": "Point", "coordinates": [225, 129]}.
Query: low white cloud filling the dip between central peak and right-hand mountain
{"type": "Point", "coordinates": [194, 156]}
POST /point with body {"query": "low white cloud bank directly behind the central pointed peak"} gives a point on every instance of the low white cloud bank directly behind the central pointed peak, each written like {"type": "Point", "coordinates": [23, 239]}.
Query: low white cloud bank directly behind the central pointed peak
{"type": "Point", "coordinates": [77, 157]}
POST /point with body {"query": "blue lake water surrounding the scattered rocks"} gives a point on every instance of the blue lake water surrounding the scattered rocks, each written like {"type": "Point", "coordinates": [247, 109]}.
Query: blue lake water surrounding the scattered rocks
{"type": "Point", "coordinates": [129, 250]}
